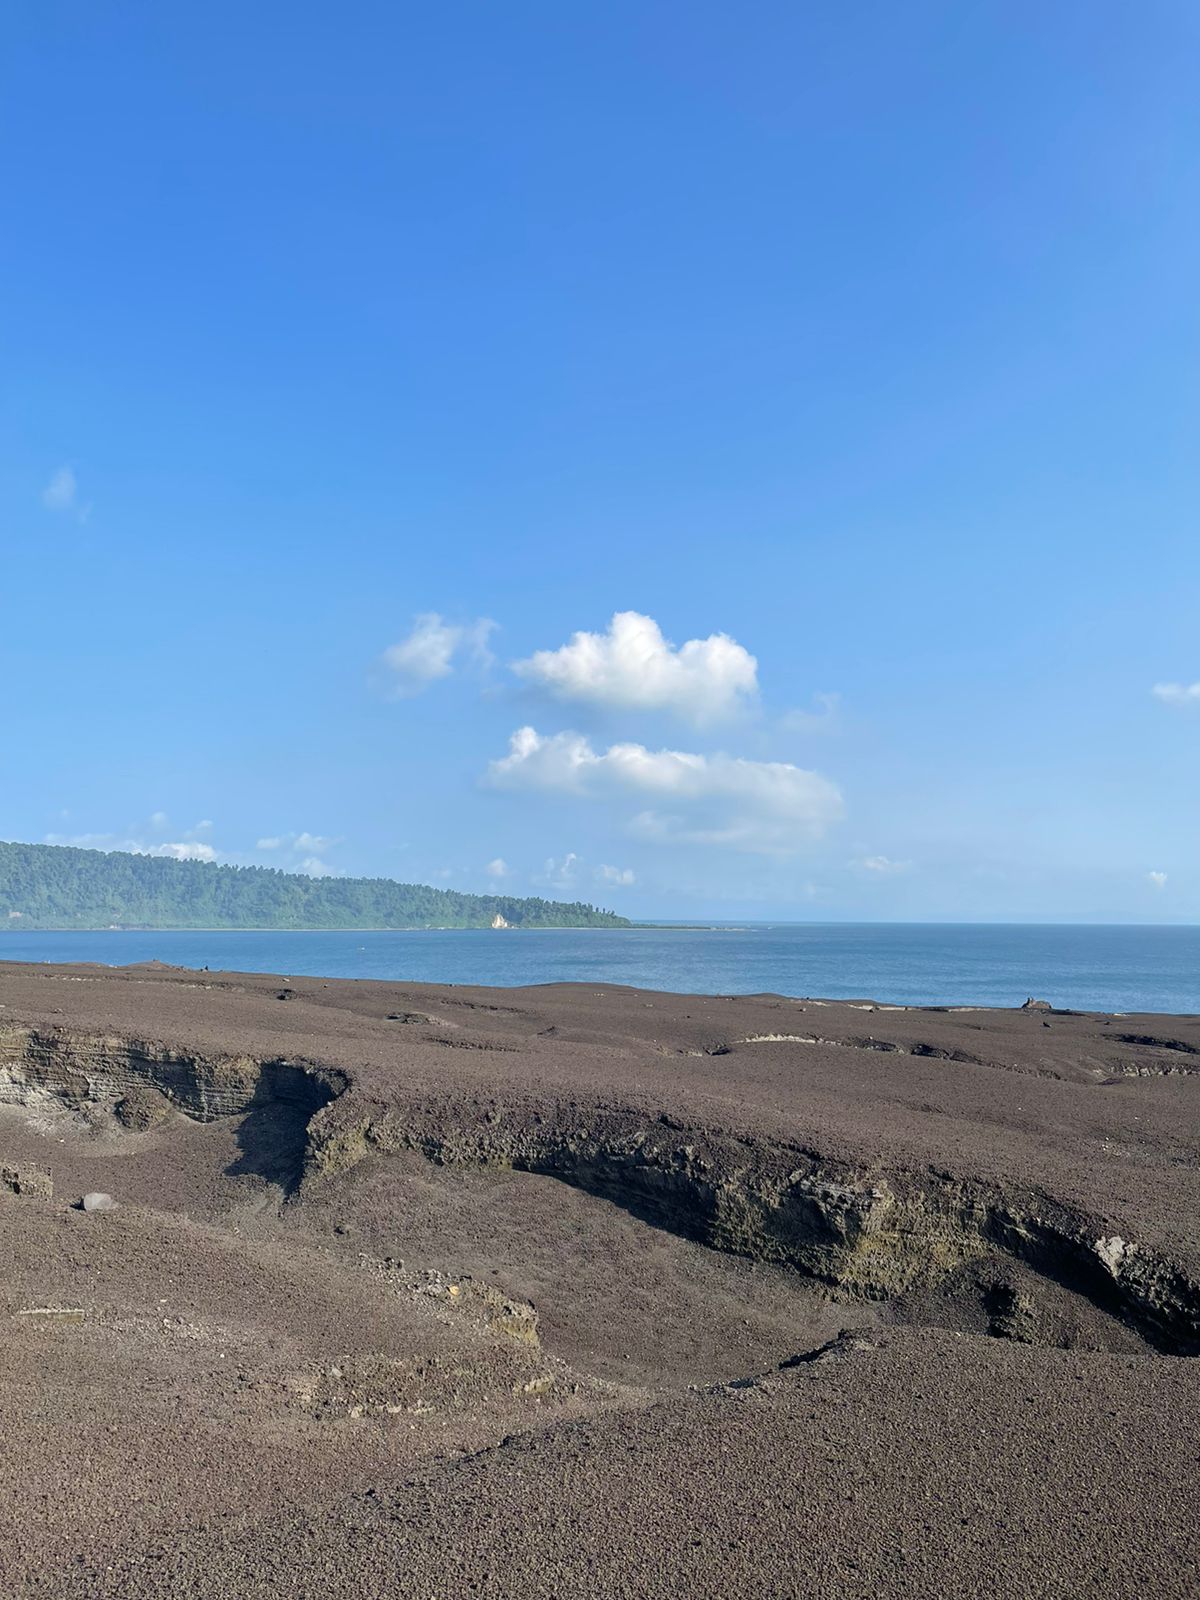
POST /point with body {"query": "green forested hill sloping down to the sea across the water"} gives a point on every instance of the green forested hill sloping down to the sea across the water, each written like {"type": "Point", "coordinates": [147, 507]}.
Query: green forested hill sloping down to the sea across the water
{"type": "Point", "coordinates": [60, 887]}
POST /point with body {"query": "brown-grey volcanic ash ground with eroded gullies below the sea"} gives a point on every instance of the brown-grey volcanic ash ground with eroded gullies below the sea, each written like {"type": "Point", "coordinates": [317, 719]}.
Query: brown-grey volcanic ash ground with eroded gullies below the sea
{"type": "Point", "coordinates": [575, 1292]}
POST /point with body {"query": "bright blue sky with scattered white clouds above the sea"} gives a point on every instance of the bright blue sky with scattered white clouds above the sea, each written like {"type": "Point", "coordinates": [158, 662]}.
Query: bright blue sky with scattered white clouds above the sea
{"type": "Point", "coordinates": [362, 364]}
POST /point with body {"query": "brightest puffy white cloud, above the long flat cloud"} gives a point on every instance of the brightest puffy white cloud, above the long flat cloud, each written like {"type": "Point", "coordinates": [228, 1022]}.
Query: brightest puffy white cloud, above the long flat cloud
{"type": "Point", "coordinates": [634, 668]}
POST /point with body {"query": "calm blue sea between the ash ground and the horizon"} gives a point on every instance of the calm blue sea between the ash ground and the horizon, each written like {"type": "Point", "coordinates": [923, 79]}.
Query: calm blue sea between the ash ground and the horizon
{"type": "Point", "coordinates": [916, 964]}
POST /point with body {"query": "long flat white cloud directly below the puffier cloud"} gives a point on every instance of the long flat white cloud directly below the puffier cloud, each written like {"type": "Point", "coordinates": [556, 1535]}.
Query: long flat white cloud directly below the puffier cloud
{"type": "Point", "coordinates": [769, 807]}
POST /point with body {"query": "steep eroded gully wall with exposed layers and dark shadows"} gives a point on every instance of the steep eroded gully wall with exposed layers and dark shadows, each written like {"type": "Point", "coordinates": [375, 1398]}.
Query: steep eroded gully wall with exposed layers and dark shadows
{"type": "Point", "coordinates": [884, 1238]}
